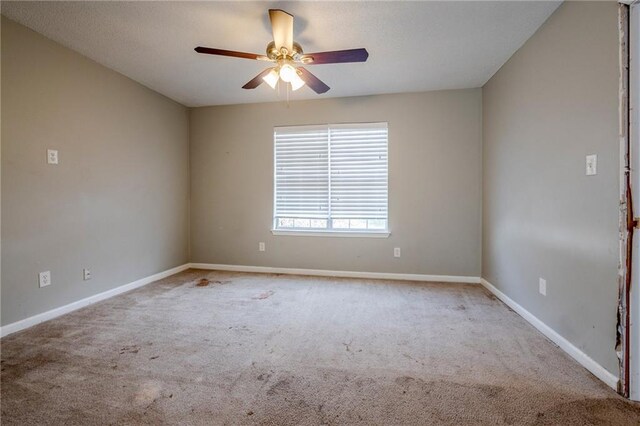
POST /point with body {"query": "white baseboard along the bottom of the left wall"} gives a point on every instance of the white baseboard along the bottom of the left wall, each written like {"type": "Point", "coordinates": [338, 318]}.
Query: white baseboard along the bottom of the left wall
{"type": "Point", "coordinates": [45, 316]}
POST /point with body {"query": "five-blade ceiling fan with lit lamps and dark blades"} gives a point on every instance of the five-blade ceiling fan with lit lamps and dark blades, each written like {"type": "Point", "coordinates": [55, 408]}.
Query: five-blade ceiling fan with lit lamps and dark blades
{"type": "Point", "coordinates": [287, 55]}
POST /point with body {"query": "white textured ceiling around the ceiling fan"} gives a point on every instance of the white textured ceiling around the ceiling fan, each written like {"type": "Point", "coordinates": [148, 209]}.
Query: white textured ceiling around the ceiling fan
{"type": "Point", "coordinates": [413, 46]}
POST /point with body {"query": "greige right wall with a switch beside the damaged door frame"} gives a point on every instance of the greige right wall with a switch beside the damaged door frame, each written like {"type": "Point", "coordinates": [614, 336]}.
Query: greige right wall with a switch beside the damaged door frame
{"type": "Point", "coordinates": [554, 102]}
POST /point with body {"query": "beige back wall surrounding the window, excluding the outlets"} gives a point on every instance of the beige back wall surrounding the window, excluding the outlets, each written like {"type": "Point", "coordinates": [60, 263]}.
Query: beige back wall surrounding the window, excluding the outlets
{"type": "Point", "coordinates": [434, 184]}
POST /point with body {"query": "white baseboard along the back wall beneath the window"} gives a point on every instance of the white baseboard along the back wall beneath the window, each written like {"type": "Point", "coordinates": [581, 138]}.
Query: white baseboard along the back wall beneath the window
{"type": "Point", "coordinates": [341, 274]}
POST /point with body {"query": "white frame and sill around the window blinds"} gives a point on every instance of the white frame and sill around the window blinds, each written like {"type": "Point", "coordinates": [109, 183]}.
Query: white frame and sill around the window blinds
{"type": "Point", "coordinates": [329, 231]}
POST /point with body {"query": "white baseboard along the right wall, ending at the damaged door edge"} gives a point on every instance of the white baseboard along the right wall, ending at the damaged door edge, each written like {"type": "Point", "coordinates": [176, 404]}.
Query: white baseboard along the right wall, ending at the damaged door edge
{"type": "Point", "coordinates": [588, 363]}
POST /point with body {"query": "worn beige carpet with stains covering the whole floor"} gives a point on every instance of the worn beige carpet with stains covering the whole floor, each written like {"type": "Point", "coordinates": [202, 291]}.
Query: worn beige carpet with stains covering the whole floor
{"type": "Point", "coordinates": [291, 350]}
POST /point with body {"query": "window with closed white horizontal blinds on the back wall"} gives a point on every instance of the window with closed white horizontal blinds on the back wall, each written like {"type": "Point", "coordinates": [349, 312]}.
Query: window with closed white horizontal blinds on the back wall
{"type": "Point", "coordinates": [331, 178]}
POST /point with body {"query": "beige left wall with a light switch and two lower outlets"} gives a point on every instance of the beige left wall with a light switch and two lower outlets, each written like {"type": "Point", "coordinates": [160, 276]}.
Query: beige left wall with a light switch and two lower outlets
{"type": "Point", "coordinates": [118, 201]}
